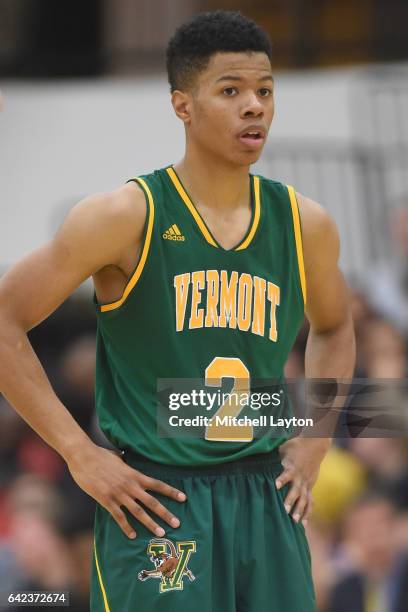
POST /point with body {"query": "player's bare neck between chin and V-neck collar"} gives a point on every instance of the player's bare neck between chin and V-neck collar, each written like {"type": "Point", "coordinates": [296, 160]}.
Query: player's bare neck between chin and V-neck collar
{"type": "Point", "coordinates": [213, 184]}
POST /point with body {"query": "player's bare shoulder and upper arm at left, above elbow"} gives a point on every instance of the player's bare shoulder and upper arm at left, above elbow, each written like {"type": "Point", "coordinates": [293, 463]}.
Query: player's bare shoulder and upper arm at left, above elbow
{"type": "Point", "coordinates": [94, 234]}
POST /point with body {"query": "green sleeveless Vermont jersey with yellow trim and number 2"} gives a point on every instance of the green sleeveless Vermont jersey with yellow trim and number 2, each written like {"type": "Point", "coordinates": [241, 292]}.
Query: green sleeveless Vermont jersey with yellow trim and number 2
{"type": "Point", "coordinates": [194, 310]}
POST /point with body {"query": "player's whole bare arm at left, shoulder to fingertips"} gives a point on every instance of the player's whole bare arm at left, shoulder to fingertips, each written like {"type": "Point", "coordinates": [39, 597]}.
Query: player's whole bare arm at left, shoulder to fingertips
{"type": "Point", "coordinates": [97, 239]}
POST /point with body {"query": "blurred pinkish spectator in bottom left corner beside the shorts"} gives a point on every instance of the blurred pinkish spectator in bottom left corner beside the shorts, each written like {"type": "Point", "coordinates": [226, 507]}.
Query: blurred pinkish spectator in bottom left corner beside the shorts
{"type": "Point", "coordinates": [36, 555]}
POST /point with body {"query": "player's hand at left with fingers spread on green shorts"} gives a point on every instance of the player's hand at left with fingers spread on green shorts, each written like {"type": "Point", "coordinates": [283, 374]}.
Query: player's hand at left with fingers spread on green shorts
{"type": "Point", "coordinates": [116, 486]}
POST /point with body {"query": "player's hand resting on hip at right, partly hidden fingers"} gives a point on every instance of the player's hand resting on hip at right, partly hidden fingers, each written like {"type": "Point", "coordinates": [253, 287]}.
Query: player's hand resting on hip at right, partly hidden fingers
{"type": "Point", "coordinates": [301, 459]}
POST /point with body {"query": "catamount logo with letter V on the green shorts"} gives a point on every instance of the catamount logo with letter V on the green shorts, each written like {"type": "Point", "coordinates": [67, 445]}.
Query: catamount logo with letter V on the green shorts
{"type": "Point", "coordinates": [170, 562]}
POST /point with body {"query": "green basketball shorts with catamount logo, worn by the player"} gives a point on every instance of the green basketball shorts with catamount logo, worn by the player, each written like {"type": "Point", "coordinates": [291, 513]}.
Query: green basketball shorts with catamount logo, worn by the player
{"type": "Point", "coordinates": [236, 550]}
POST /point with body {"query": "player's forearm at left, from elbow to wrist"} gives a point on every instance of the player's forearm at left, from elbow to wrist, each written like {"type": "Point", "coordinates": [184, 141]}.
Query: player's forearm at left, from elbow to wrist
{"type": "Point", "coordinates": [25, 385]}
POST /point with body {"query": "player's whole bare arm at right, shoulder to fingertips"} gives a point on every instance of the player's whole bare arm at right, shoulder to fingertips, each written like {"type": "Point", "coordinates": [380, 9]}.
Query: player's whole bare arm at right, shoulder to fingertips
{"type": "Point", "coordinates": [330, 351]}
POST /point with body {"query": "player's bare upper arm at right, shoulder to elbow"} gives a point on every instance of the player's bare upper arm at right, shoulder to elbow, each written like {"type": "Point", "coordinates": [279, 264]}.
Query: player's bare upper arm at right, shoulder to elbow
{"type": "Point", "coordinates": [328, 304]}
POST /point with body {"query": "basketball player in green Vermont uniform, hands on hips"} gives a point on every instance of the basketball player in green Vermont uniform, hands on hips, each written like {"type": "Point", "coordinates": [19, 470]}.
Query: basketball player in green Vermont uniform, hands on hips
{"type": "Point", "coordinates": [201, 270]}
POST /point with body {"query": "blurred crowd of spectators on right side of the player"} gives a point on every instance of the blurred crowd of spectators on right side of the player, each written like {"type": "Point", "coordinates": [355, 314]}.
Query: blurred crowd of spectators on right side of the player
{"type": "Point", "coordinates": [358, 534]}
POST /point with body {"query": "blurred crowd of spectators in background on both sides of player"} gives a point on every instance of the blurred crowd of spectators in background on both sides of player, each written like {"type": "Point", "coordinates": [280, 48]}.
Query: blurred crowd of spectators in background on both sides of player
{"type": "Point", "coordinates": [359, 530]}
